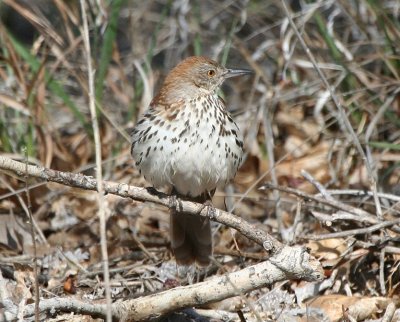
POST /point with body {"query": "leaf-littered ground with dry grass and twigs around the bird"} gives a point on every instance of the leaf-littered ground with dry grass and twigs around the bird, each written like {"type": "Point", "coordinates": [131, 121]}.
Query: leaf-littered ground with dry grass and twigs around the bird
{"type": "Point", "coordinates": [321, 122]}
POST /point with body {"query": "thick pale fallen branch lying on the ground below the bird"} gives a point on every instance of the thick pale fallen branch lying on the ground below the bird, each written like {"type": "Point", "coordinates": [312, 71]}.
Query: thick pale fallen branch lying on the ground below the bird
{"type": "Point", "coordinates": [302, 265]}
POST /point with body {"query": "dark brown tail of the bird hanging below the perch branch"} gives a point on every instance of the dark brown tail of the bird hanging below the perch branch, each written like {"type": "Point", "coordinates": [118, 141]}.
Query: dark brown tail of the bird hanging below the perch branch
{"type": "Point", "coordinates": [191, 238]}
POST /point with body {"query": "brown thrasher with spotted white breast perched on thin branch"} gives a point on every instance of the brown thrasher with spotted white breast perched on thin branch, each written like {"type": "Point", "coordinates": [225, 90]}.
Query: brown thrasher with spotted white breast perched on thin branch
{"type": "Point", "coordinates": [188, 142]}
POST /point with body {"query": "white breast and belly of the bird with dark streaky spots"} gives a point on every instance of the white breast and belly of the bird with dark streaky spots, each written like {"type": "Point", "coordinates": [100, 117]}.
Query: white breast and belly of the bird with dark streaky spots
{"type": "Point", "coordinates": [194, 148]}
